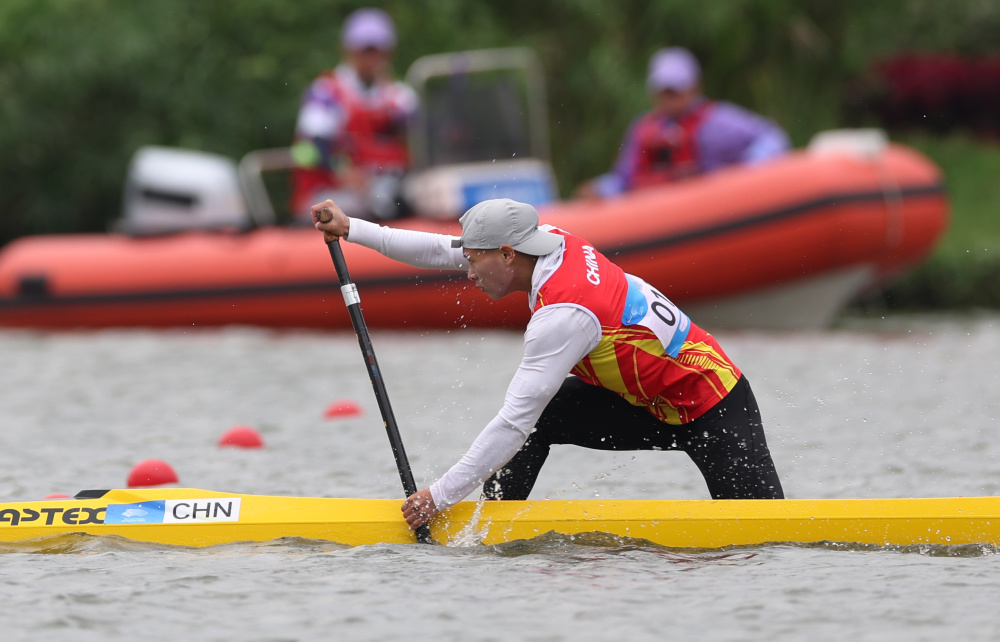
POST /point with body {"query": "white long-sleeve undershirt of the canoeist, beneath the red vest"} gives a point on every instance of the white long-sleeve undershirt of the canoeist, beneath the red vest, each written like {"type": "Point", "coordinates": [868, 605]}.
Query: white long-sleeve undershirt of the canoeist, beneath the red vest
{"type": "Point", "coordinates": [556, 339]}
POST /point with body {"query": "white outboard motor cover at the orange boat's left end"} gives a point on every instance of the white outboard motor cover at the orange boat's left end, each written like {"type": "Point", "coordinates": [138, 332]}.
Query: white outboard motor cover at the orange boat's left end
{"type": "Point", "coordinates": [172, 190]}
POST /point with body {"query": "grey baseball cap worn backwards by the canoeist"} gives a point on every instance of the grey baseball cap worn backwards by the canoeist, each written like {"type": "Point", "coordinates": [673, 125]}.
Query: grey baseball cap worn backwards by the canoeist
{"type": "Point", "coordinates": [501, 221]}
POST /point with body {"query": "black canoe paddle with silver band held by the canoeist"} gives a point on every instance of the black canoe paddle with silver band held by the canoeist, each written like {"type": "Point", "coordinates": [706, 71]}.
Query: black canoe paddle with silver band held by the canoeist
{"type": "Point", "coordinates": [353, 301]}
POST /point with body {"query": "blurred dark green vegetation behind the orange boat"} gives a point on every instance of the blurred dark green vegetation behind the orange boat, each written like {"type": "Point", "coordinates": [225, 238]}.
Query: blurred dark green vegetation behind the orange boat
{"type": "Point", "coordinates": [84, 83]}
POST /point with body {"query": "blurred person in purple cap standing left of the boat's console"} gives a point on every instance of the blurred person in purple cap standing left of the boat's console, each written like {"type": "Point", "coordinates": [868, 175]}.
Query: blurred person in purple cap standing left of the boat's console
{"type": "Point", "coordinates": [350, 138]}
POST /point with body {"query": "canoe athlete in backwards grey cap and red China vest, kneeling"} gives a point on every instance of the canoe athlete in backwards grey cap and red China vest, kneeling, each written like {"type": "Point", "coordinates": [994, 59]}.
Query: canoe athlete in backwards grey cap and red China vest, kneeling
{"type": "Point", "coordinates": [609, 362]}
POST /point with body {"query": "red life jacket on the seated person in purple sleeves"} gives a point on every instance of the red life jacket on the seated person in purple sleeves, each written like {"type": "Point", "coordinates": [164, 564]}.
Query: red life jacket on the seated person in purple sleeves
{"type": "Point", "coordinates": [668, 147]}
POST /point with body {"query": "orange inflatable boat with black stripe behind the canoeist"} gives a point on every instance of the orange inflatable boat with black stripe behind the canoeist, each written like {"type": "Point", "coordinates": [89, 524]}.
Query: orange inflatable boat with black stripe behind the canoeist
{"type": "Point", "coordinates": [782, 245]}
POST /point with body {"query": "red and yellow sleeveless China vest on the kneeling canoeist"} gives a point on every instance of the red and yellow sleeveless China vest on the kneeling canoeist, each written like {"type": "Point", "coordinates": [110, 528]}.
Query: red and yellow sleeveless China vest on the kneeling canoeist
{"type": "Point", "coordinates": [631, 359]}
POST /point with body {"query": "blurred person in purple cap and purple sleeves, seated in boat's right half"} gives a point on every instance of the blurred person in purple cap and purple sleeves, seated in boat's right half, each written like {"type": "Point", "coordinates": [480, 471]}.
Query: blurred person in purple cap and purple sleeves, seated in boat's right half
{"type": "Point", "coordinates": [685, 133]}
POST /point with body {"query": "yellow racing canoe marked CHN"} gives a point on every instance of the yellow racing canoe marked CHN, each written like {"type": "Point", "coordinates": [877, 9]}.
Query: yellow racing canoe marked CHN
{"type": "Point", "coordinates": [192, 517]}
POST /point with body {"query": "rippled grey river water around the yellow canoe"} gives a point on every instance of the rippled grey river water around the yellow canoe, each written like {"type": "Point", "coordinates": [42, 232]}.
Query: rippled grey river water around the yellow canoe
{"type": "Point", "coordinates": [896, 407]}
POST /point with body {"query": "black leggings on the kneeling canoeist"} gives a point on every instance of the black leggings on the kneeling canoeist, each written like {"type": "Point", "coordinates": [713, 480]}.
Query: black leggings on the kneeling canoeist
{"type": "Point", "coordinates": [726, 443]}
